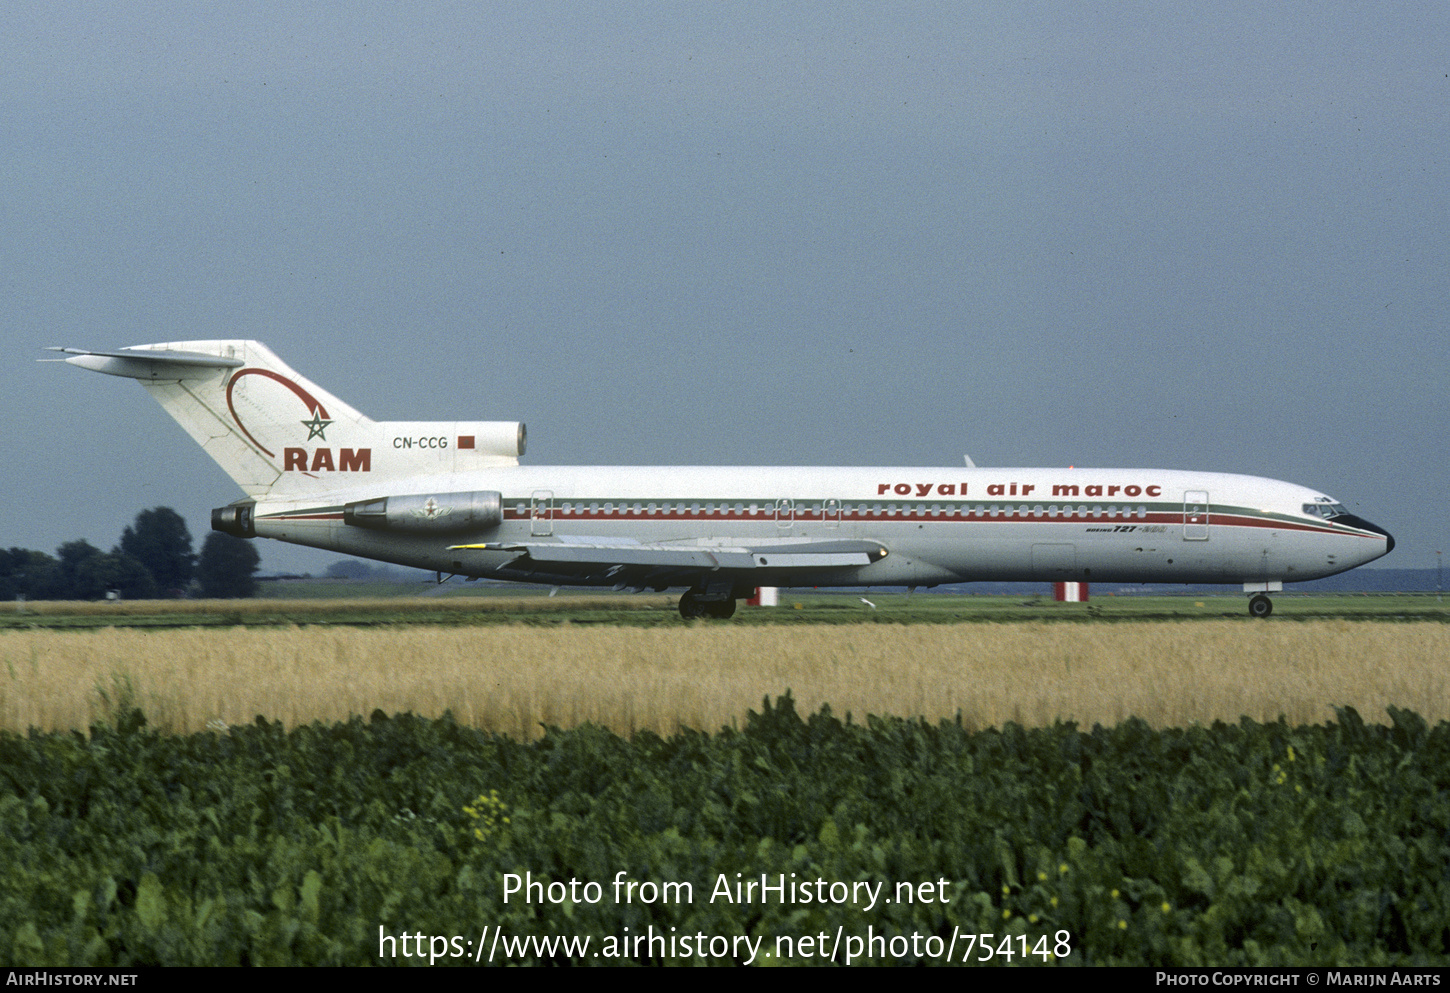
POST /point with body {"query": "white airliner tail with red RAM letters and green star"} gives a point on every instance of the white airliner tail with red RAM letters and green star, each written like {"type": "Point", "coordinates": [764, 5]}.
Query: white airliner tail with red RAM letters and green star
{"type": "Point", "coordinates": [278, 434]}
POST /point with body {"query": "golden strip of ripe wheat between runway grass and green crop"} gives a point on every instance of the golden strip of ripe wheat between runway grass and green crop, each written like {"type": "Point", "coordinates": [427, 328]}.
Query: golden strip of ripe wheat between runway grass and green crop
{"type": "Point", "coordinates": [517, 679]}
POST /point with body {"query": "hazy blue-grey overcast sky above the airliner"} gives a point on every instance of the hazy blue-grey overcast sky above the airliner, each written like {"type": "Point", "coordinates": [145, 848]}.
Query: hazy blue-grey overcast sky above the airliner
{"type": "Point", "coordinates": [1181, 236]}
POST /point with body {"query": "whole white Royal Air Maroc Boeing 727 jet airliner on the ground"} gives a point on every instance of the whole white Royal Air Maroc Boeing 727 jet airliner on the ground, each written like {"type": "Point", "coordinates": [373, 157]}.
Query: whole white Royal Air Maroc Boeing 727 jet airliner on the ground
{"type": "Point", "coordinates": [452, 496]}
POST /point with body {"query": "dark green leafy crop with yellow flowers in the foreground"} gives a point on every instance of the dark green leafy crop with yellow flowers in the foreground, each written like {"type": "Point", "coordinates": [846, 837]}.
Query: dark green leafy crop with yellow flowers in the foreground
{"type": "Point", "coordinates": [1226, 844]}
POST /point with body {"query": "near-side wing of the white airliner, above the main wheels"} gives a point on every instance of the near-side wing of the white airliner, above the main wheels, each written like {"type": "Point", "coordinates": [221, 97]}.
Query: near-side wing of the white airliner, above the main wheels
{"type": "Point", "coordinates": [646, 563]}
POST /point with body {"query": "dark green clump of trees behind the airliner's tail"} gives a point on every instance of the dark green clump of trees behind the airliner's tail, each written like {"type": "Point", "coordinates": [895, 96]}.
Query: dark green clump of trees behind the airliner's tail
{"type": "Point", "coordinates": [154, 560]}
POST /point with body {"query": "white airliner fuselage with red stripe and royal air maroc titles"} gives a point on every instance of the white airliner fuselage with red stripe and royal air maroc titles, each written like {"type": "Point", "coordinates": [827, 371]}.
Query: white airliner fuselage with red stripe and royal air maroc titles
{"type": "Point", "coordinates": [940, 525]}
